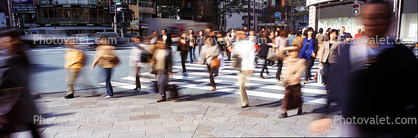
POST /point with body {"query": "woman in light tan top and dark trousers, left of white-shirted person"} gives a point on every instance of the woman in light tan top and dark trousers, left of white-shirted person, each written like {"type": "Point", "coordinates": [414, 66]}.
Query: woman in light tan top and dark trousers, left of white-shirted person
{"type": "Point", "coordinates": [210, 52]}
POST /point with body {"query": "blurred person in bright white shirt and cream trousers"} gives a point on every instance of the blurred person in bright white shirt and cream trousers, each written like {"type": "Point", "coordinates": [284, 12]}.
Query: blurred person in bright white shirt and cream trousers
{"type": "Point", "coordinates": [245, 50]}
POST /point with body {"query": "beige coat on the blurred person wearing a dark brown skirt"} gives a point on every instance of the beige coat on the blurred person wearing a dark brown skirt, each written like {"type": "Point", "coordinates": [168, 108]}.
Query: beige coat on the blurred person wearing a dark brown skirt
{"type": "Point", "coordinates": [295, 68]}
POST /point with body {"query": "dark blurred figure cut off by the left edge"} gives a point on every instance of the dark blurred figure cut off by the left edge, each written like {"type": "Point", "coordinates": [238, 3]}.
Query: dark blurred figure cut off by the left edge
{"type": "Point", "coordinates": [16, 103]}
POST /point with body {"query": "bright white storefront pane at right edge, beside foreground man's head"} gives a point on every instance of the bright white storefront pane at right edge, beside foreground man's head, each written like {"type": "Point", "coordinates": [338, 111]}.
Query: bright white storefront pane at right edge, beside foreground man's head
{"type": "Point", "coordinates": [409, 28]}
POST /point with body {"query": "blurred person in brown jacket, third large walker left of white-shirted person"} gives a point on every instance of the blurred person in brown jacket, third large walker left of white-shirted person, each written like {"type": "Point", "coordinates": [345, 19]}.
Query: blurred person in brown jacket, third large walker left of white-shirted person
{"type": "Point", "coordinates": [161, 66]}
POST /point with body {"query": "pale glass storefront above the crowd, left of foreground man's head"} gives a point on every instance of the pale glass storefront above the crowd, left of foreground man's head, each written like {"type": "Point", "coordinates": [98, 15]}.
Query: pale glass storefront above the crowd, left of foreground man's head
{"type": "Point", "coordinates": [351, 24]}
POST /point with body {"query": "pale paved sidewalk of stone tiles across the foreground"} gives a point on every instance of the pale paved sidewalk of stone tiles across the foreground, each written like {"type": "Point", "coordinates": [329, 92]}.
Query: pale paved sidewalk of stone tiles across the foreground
{"type": "Point", "coordinates": [130, 116]}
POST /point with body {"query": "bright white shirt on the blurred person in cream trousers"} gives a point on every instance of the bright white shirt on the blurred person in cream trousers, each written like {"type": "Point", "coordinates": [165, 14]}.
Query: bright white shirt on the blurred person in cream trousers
{"type": "Point", "coordinates": [246, 50]}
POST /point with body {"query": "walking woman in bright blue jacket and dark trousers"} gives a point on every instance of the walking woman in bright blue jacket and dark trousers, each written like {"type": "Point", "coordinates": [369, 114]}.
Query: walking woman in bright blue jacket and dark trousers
{"type": "Point", "coordinates": [309, 48]}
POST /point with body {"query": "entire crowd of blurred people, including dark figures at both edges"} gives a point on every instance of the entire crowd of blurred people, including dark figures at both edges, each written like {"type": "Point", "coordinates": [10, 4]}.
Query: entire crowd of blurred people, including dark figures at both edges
{"type": "Point", "coordinates": [364, 78]}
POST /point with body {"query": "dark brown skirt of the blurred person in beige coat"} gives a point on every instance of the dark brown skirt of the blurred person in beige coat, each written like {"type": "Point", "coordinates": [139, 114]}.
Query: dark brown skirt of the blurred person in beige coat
{"type": "Point", "coordinates": [292, 97]}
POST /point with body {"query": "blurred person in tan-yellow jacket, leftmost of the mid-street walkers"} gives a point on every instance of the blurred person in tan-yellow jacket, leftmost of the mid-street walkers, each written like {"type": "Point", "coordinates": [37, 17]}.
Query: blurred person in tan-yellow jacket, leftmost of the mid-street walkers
{"type": "Point", "coordinates": [74, 61]}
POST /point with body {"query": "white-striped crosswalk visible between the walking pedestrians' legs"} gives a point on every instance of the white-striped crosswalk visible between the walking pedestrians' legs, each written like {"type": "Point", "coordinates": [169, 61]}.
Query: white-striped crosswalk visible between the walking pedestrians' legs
{"type": "Point", "coordinates": [196, 81]}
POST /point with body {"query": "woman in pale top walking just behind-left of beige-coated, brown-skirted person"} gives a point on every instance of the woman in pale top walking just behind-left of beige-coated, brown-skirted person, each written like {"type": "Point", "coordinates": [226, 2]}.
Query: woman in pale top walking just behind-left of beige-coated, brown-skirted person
{"type": "Point", "coordinates": [281, 42]}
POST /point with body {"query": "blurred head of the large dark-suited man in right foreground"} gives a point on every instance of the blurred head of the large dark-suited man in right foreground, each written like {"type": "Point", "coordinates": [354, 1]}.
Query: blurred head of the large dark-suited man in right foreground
{"type": "Point", "coordinates": [376, 19]}
